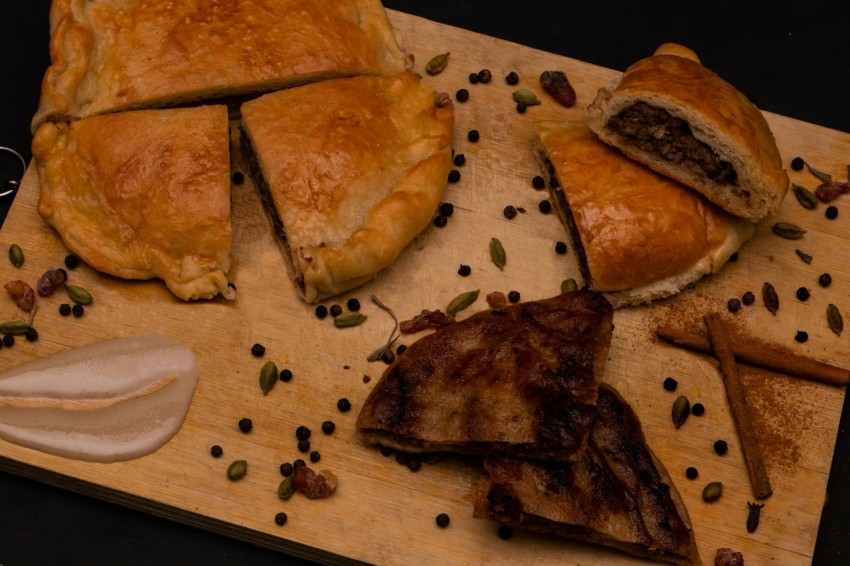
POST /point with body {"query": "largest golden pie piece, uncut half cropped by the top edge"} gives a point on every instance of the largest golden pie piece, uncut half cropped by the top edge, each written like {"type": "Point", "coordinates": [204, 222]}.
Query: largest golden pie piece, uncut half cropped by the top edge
{"type": "Point", "coordinates": [108, 55]}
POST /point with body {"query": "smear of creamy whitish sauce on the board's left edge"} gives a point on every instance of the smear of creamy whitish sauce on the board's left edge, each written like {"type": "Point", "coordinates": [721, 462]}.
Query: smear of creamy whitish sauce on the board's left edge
{"type": "Point", "coordinates": [113, 400]}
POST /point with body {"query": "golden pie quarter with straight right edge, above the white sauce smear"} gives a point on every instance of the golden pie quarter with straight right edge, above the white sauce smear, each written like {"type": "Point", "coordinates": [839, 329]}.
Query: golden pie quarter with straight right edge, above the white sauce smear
{"type": "Point", "coordinates": [143, 194]}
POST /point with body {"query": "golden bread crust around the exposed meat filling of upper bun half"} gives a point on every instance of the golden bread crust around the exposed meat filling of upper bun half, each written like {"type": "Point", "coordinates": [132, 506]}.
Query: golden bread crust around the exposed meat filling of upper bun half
{"type": "Point", "coordinates": [718, 115]}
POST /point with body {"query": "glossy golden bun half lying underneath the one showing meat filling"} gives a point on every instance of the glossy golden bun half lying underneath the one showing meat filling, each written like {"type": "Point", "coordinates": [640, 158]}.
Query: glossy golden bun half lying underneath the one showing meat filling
{"type": "Point", "coordinates": [638, 235]}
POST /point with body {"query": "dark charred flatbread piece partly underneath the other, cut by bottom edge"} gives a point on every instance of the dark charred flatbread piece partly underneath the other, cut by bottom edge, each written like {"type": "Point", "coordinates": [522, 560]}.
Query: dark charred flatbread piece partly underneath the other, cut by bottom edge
{"type": "Point", "coordinates": [617, 494]}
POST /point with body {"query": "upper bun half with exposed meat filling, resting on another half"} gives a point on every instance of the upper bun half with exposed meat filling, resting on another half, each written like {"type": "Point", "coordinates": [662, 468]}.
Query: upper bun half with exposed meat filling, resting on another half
{"type": "Point", "coordinates": [681, 119]}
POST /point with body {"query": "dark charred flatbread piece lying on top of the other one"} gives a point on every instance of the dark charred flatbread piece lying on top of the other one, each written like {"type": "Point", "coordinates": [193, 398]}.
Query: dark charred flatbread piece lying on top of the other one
{"type": "Point", "coordinates": [520, 381]}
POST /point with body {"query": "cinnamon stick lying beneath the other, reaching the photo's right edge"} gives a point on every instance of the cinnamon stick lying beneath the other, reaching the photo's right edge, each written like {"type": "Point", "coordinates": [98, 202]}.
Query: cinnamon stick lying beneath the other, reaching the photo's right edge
{"type": "Point", "coordinates": [749, 351]}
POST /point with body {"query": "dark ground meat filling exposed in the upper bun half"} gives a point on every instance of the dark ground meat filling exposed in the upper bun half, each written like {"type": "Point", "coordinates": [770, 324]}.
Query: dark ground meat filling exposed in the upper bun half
{"type": "Point", "coordinates": [655, 131]}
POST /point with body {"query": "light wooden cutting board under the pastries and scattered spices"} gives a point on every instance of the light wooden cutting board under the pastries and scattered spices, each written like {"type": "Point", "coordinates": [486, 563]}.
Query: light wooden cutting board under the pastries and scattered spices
{"type": "Point", "coordinates": [382, 512]}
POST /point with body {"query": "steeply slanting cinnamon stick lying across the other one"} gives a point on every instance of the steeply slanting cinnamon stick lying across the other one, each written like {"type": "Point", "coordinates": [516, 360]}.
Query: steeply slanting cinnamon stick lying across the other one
{"type": "Point", "coordinates": [735, 394]}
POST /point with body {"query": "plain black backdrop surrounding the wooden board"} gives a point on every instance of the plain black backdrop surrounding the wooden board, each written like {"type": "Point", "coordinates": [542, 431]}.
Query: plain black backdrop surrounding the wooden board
{"type": "Point", "coordinates": [789, 57]}
